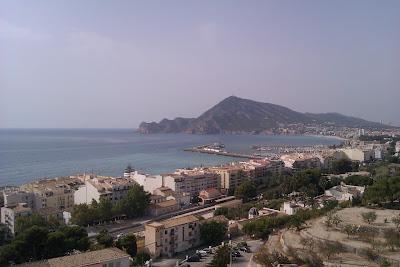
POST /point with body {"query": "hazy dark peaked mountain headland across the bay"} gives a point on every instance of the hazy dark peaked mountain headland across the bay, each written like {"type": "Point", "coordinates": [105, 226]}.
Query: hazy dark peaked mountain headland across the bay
{"type": "Point", "coordinates": [238, 115]}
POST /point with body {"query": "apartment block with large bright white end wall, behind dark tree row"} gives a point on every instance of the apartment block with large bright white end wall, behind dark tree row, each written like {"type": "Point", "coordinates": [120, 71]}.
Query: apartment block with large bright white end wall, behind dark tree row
{"type": "Point", "coordinates": [97, 187]}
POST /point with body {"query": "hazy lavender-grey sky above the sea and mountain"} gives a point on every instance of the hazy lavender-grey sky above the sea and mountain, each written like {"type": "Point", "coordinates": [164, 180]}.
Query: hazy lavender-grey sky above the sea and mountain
{"type": "Point", "coordinates": [117, 63]}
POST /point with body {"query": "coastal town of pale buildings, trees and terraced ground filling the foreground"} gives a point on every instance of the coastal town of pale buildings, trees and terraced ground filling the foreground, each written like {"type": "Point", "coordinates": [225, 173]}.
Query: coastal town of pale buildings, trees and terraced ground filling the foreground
{"type": "Point", "coordinates": [341, 201]}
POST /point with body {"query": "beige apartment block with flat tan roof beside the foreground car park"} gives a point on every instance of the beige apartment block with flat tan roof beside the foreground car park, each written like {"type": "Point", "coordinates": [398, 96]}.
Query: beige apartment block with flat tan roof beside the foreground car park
{"type": "Point", "coordinates": [168, 237]}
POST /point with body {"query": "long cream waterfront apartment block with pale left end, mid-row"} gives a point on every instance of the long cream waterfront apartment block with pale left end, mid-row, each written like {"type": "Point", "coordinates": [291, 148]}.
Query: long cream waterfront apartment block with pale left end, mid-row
{"type": "Point", "coordinates": [191, 181]}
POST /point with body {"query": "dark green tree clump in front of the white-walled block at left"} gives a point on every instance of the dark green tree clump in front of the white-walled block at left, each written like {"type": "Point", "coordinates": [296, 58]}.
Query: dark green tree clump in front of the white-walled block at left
{"type": "Point", "coordinates": [134, 204]}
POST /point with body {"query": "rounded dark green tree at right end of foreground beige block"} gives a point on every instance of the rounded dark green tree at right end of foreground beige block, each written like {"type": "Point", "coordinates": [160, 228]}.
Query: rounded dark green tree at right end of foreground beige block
{"type": "Point", "coordinates": [212, 232]}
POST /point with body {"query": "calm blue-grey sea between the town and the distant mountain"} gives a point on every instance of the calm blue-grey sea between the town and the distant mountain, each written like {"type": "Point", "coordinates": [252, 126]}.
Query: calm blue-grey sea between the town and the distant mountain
{"type": "Point", "coordinates": [27, 155]}
